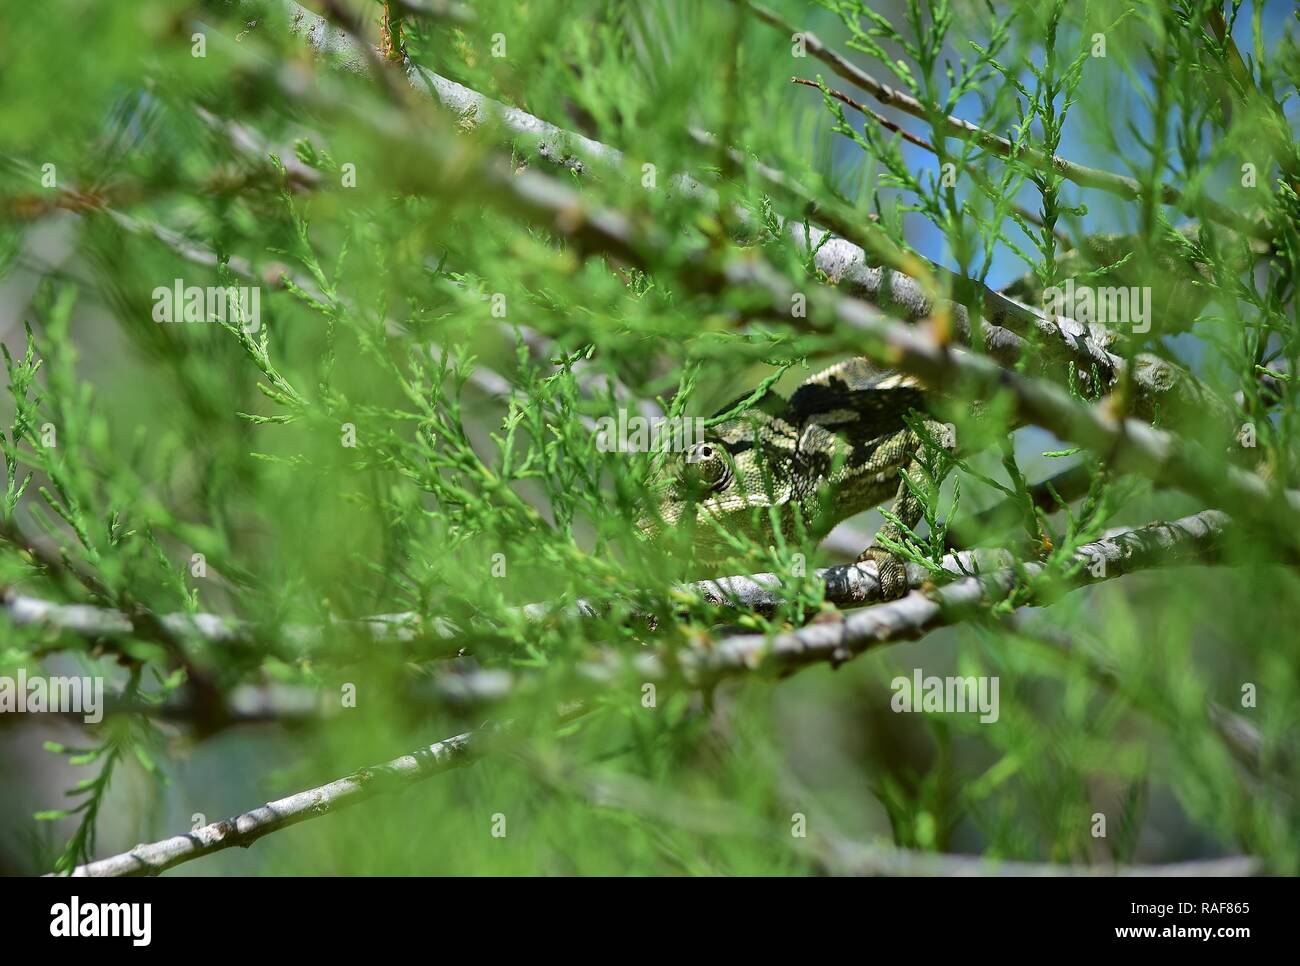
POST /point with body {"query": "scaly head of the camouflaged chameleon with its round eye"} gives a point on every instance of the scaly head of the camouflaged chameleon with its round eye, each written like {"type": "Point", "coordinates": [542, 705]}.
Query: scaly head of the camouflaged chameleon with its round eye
{"type": "Point", "coordinates": [726, 483]}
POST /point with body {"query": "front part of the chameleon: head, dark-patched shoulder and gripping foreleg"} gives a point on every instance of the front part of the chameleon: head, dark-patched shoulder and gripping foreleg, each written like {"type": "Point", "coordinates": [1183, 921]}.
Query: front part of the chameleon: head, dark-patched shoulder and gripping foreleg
{"type": "Point", "coordinates": [834, 449]}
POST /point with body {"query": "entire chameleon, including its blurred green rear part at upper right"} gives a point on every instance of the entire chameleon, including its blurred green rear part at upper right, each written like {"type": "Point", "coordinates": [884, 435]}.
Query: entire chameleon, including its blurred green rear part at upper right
{"type": "Point", "coordinates": [840, 444]}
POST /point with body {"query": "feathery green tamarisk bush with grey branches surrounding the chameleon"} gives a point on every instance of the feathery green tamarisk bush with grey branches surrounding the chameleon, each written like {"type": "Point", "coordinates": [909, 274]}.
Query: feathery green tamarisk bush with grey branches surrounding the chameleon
{"type": "Point", "coordinates": [313, 320]}
